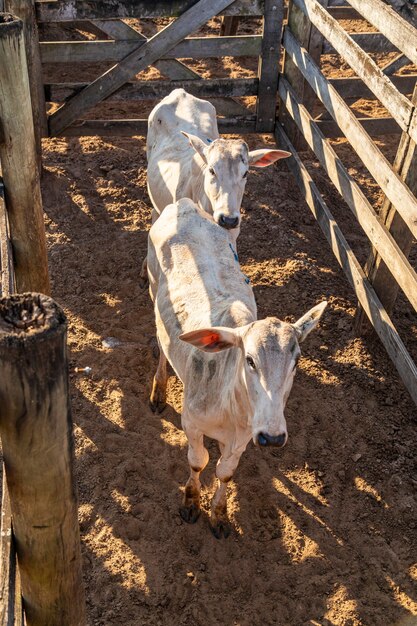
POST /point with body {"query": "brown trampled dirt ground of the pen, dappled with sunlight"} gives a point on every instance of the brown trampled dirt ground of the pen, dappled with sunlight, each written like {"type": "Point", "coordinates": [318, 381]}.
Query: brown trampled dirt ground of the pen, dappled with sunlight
{"type": "Point", "coordinates": [325, 530]}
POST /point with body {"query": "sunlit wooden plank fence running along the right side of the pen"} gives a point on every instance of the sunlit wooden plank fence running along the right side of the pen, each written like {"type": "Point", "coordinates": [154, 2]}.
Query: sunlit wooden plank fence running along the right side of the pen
{"type": "Point", "coordinates": [301, 84]}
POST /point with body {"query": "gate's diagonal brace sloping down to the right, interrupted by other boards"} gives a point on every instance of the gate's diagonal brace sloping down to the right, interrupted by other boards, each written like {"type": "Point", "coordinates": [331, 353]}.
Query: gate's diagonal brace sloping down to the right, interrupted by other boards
{"type": "Point", "coordinates": [173, 69]}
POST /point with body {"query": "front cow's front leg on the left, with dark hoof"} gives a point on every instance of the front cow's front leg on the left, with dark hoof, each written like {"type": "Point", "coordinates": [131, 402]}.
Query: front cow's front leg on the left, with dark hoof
{"type": "Point", "coordinates": [198, 458]}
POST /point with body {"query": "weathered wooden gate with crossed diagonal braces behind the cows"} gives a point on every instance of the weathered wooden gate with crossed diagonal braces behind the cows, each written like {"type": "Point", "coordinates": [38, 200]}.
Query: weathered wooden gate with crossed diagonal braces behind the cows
{"type": "Point", "coordinates": [131, 53]}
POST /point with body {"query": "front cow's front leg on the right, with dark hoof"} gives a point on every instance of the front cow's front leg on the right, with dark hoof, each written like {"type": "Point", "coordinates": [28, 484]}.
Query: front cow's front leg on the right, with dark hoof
{"type": "Point", "coordinates": [226, 466]}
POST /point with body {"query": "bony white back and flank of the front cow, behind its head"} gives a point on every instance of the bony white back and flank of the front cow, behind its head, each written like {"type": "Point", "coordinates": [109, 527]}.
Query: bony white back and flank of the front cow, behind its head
{"type": "Point", "coordinates": [194, 276]}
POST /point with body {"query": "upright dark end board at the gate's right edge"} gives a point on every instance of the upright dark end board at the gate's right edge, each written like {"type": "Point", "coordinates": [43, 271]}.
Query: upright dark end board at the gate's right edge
{"type": "Point", "coordinates": [268, 67]}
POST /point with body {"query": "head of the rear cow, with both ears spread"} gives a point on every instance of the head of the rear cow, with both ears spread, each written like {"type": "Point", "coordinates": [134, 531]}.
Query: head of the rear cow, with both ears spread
{"type": "Point", "coordinates": [227, 162]}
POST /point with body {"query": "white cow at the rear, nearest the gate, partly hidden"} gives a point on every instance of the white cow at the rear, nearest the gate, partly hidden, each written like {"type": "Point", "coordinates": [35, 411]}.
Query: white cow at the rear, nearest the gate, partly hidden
{"type": "Point", "coordinates": [187, 159]}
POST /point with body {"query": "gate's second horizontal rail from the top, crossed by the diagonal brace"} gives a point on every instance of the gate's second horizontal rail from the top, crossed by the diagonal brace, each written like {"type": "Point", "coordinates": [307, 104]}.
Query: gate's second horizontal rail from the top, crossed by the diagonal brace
{"type": "Point", "coordinates": [113, 51]}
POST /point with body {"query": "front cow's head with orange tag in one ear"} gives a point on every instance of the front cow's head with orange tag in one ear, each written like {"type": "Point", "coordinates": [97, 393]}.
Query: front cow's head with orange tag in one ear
{"type": "Point", "coordinates": [270, 351]}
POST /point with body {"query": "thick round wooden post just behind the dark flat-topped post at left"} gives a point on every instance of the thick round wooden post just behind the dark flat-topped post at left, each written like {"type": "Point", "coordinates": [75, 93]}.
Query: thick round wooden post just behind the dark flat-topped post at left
{"type": "Point", "coordinates": [18, 160]}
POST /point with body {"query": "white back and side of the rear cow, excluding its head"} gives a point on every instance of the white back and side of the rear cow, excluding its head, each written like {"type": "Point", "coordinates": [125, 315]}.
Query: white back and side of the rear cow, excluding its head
{"type": "Point", "coordinates": [168, 151]}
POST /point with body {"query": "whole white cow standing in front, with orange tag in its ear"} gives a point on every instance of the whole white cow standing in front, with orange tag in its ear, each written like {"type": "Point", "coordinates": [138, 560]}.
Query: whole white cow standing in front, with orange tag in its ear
{"type": "Point", "coordinates": [237, 371]}
